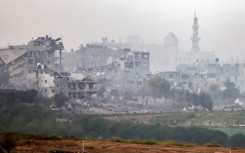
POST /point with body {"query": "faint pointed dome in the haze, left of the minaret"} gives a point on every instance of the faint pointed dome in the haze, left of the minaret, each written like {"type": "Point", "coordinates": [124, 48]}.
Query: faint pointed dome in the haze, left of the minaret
{"type": "Point", "coordinates": [171, 41]}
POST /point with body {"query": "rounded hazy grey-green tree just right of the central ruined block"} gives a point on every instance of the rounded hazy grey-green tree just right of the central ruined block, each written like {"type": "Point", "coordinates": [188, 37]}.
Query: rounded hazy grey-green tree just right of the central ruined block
{"type": "Point", "coordinates": [159, 87]}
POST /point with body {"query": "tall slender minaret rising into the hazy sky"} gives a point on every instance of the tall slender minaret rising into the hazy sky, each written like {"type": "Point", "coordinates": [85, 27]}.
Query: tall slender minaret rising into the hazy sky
{"type": "Point", "coordinates": [195, 39]}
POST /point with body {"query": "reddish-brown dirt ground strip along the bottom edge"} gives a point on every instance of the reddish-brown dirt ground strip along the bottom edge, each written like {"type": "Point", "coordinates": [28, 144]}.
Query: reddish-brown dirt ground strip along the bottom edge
{"type": "Point", "coordinates": [72, 146]}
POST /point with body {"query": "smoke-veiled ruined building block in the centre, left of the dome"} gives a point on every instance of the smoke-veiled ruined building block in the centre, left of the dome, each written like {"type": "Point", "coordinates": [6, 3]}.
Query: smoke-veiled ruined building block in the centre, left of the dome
{"type": "Point", "coordinates": [125, 69]}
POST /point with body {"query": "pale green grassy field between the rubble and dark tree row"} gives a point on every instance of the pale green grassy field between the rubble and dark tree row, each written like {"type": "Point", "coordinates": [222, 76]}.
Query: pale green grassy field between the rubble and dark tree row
{"type": "Point", "coordinates": [230, 122]}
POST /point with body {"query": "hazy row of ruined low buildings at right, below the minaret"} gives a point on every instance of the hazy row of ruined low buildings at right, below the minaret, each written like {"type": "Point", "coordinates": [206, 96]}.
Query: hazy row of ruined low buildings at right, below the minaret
{"type": "Point", "coordinates": [203, 74]}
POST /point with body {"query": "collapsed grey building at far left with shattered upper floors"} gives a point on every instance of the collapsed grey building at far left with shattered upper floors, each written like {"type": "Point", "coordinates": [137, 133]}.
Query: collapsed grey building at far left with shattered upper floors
{"type": "Point", "coordinates": [38, 65]}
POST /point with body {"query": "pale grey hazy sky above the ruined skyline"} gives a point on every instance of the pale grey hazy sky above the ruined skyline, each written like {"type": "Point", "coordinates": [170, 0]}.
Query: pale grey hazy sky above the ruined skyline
{"type": "Point", "coordinates": [222, 22]}
